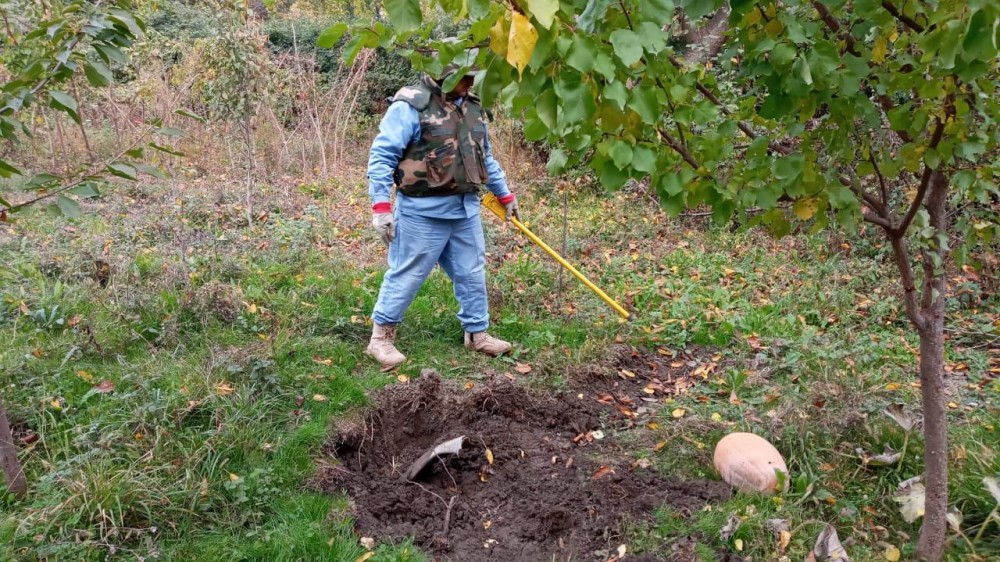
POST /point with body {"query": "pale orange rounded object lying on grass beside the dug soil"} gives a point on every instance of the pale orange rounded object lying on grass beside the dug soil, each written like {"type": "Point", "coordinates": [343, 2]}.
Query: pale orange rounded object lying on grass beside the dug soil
{"type": "Point", "coordinates": [749, 463]}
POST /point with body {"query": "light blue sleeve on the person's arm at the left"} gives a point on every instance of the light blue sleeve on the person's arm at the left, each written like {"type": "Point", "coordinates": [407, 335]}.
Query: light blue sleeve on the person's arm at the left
{"type": "Point", "coordinates": [399, 127]}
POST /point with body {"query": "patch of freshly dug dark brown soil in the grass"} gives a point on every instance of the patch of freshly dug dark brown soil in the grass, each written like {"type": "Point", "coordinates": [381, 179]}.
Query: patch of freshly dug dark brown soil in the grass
{"type": "Point", "coordinates": [538, 478]}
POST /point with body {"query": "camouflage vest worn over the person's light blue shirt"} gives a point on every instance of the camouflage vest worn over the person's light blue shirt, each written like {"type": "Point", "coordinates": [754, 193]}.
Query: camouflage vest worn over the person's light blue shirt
{"type": "Point", "coordinates": [450, 156]}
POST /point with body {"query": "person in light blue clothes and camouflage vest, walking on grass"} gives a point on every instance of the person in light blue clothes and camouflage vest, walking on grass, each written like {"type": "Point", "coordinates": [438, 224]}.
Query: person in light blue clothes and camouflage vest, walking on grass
{"type": "Point", "coordinates": [434, 147]}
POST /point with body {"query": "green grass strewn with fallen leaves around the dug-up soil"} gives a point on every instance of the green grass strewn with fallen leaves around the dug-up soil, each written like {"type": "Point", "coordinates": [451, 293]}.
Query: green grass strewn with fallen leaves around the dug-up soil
{"type": "Point", "coordinates": [229, 362]}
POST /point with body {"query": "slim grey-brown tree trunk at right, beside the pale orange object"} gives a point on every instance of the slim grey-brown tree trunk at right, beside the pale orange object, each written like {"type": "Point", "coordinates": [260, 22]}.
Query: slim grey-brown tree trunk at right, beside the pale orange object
{"type": "Point", "coordinates": [933, 533]}
